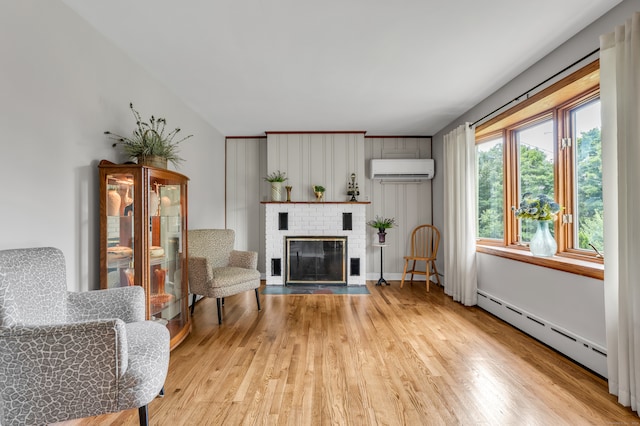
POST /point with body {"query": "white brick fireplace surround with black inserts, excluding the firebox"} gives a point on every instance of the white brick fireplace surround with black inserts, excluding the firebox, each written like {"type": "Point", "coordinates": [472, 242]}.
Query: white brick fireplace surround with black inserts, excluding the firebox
{"type": "Point", "coordinates": [317, 219]}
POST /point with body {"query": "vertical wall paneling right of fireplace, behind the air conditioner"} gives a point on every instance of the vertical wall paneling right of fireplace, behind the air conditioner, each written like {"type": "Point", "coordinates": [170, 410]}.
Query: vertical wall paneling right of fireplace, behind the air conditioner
{"type": "Point", "coordinates": [408, 203]}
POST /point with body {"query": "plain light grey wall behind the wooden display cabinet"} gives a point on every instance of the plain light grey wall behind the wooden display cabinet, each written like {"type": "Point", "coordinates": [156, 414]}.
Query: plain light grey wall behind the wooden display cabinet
{"type": "Point", "coordinates": [61, 86]}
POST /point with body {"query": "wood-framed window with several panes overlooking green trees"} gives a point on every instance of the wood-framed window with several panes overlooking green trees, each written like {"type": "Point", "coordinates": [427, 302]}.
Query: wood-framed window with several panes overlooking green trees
{"type": "Point", "coordinates": [548, 144]}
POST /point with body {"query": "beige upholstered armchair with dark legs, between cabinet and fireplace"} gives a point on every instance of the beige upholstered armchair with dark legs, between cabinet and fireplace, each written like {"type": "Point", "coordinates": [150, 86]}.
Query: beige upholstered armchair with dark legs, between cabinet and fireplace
{"type": "Point", "coordinates": [217, 270]}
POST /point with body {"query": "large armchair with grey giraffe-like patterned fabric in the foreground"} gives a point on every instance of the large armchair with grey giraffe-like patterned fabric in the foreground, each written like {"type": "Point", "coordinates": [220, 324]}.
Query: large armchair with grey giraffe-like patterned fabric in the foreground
{"type": "Point", "coordinates": [67, 355]}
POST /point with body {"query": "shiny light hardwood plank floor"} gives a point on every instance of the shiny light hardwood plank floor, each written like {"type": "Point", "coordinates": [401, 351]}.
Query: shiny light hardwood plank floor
{"type": "Point", "coordinates": [394, 357]}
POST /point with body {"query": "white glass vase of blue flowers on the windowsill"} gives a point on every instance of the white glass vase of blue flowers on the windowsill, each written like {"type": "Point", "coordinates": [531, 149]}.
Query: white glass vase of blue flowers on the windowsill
{"type": "Point", "coordinates": [543, 210]}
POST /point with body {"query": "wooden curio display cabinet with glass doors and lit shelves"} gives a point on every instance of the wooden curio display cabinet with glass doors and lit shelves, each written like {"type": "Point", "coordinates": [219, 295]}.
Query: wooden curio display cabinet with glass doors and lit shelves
{"type": "Point", "coordinates": [143, 239]}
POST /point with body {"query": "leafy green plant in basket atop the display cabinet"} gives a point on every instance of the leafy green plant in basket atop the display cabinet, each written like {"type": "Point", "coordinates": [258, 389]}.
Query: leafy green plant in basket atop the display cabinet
{"type": "Point", "coordinates": [149, 143]}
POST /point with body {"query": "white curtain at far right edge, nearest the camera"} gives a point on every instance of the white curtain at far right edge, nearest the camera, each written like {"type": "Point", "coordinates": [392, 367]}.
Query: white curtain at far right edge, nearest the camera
{"type": "Point", "coordinates": [619, 93]}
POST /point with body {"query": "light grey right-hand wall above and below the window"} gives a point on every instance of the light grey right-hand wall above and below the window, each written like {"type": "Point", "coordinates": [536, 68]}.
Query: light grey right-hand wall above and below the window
{"type": "Point", "coordinates": [570, 301]}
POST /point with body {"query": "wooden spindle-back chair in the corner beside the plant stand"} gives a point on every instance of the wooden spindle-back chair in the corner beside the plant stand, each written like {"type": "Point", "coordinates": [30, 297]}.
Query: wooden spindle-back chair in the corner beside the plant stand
{"type": "Point", "coordinates": [424, 248]}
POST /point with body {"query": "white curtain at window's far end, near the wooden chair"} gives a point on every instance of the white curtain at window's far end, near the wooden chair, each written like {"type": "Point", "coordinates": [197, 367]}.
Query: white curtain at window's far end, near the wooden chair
{"type": "Point", "coordinates": [460, 274]}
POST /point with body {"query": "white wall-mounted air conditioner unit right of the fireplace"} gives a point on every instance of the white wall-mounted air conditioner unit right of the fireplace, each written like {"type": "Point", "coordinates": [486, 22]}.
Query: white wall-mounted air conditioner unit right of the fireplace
{"type": "Point", "coordinates": [400, 169]}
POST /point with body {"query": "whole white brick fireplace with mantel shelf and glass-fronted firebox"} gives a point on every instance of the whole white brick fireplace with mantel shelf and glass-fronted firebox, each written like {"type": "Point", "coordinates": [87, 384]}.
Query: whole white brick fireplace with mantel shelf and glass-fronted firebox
{"type": "Point", "coordinates": [320, 222]}
